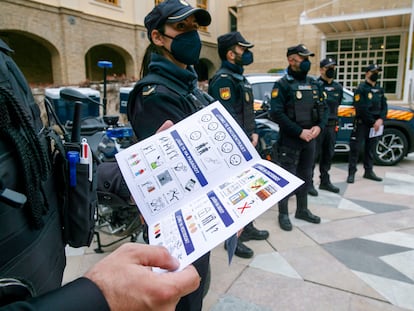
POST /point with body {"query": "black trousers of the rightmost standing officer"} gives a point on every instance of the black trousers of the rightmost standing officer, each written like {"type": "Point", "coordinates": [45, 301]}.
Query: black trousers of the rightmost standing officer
{"type": "Point", "coordinates": [359, 136]}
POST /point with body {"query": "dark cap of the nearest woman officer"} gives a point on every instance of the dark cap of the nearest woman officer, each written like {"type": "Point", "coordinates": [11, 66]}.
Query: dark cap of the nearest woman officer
{"type": "Point", "coordinates": [172, 11]}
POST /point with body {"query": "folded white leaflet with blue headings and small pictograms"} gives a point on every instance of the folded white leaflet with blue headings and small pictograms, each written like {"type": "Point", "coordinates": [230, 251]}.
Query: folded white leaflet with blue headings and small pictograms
{"type": "Point", "coordinates": [199, 182]}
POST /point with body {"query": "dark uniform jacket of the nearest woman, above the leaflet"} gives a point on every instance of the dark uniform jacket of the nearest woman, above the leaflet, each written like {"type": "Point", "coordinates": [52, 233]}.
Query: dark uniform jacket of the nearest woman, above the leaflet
{"type": "Point", "coordinates": [166, 93]}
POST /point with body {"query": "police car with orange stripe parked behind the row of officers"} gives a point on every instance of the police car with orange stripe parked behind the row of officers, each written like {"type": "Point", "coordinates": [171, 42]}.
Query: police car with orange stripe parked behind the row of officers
{"type": "Point", "coordinates": [396, 142]}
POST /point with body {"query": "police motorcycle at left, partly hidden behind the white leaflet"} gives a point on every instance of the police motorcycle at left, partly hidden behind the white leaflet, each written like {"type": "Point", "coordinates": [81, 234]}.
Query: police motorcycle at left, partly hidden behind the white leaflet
{"type": "Point", "coordinates": [117, 214]}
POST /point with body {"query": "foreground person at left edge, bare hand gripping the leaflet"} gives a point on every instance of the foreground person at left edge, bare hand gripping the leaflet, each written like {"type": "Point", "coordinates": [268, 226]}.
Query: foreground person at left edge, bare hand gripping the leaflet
{"type": "Point", "coordinates": [32, 248]}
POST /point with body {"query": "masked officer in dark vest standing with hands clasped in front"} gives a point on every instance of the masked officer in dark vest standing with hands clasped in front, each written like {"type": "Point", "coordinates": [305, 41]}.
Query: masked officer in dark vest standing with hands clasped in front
{"type": "Point", "coordinates": [298, 106]}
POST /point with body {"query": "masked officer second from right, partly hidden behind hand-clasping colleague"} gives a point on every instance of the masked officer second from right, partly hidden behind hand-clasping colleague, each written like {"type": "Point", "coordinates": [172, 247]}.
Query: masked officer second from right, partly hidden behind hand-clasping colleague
{"type": "Point", "coordinates": [325, 143]}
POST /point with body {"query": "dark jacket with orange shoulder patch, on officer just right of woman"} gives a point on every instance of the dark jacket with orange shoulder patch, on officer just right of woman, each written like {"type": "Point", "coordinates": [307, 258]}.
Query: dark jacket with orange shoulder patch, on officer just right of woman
{"type": "Point", "coordinates": [234, 92]}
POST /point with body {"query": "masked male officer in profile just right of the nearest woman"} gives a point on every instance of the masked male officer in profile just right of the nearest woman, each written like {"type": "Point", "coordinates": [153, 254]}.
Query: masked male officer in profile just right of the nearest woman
{"type": "Point", "coordinates": [234, 92]}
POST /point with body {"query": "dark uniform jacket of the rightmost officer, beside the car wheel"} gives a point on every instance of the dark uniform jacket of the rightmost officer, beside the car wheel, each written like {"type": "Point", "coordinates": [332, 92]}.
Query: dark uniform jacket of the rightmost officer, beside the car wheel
{"type": "Point", "coordinates": [370, 103]}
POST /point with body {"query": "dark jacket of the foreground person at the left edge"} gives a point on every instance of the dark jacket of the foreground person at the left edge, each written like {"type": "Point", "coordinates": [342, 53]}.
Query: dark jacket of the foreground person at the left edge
{"type": "Point", "coordinates": [34, 255]}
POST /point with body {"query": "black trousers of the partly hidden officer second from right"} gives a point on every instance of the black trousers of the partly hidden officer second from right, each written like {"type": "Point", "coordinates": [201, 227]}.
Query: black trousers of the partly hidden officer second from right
{"type": "Point", "coordinates": [325, 150]}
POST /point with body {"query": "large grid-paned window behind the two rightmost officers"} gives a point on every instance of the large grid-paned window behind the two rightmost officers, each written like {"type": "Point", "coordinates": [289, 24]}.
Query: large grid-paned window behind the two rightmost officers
{"type": "Point", "coordinates": [354, 54]}
